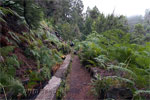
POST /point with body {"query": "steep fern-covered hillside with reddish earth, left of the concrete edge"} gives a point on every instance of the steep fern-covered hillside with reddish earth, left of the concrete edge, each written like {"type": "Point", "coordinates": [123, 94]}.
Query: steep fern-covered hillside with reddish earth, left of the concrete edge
{"type": "Point", "coordinates": [28, 57]}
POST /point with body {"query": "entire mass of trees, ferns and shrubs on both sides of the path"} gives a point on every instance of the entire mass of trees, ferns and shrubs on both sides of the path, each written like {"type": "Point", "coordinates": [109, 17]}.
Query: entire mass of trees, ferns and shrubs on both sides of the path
{"type": "Point", "coordinates": [34, 35]}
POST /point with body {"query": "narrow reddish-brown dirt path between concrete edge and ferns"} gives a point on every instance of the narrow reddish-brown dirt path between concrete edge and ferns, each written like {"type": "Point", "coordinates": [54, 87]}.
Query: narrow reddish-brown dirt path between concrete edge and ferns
{"type": "Point", "coordinates": [79, 81]}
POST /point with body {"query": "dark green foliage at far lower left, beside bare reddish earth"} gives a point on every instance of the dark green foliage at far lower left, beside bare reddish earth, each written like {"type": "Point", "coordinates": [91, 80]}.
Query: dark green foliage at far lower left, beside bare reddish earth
{"type": "Point", "coordinates": [8, 72]}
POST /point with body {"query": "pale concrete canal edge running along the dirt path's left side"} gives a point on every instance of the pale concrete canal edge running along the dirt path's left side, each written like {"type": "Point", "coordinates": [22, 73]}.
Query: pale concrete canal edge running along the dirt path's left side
{"type": "Point", "coordinates": [49, 91]}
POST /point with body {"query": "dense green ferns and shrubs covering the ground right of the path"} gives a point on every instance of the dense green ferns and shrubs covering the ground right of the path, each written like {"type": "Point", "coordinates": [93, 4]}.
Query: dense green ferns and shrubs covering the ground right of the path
{"type": "Point", "coordinates": [126, 56]}
